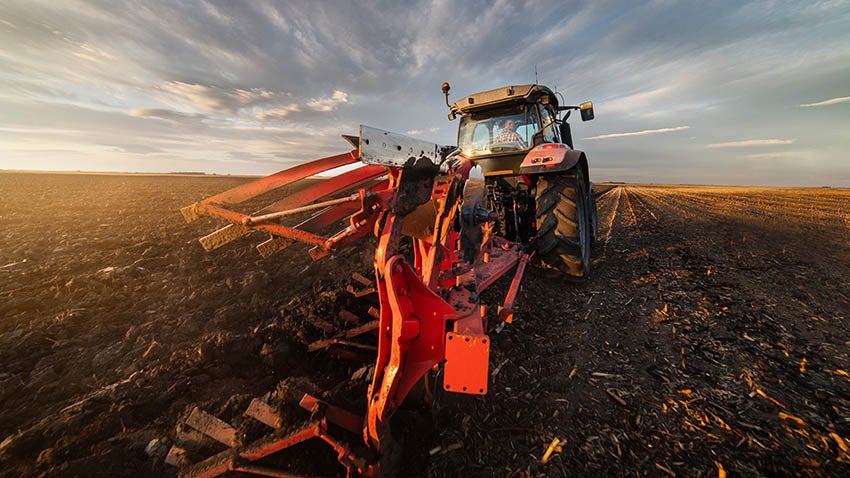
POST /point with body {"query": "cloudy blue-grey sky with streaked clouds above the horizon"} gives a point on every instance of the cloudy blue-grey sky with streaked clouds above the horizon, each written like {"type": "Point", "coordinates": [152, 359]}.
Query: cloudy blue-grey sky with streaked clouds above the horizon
{"type": "Point", "coordinates": [721, 92]}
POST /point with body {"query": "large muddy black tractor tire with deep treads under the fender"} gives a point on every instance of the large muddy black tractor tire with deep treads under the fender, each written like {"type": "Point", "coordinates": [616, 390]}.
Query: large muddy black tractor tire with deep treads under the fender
{"type": "Point", "coordinates": [564, 225]}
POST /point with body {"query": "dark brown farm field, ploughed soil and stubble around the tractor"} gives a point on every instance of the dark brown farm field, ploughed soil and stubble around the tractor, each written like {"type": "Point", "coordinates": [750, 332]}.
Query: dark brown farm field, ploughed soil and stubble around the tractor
{"type": "Point", "coordinates": [713, 337]}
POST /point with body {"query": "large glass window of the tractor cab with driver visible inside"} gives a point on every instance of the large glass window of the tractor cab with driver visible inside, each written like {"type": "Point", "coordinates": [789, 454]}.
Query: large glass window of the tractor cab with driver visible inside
{"type": "Point", "coordinates": [497, 131]}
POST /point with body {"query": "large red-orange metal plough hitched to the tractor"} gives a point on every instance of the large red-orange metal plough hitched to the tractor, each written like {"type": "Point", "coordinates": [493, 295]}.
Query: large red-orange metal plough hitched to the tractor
{"type": "Point", "coordinates": [430, 314]}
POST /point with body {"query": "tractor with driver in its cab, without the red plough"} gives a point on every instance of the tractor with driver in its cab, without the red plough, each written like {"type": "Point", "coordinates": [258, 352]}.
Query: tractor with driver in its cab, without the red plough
{"type": "Point", "coordinates": [536, 181]}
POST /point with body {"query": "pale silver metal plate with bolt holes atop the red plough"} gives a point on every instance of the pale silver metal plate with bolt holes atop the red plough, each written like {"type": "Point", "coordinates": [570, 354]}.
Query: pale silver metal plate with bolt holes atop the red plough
{"type": "Point", "coordinates": [392, 149]}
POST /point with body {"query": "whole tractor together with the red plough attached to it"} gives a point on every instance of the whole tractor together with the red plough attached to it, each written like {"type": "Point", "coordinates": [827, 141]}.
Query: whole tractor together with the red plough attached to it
{"type": "Point", "coordinates": [472, 213]}
